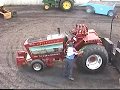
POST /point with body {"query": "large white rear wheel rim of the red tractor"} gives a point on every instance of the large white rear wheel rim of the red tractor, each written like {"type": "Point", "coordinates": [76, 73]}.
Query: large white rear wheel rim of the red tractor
{"type": "Point", "coordinates": [94, 62]}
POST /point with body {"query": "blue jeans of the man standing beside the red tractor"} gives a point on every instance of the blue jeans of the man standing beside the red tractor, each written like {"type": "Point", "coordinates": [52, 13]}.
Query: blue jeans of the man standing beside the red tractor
{"type": "Point", "coordinates": [69, 64]}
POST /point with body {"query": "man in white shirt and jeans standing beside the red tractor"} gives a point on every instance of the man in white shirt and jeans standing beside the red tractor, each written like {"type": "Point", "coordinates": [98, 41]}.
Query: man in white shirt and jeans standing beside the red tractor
{"type": "Point", "coordinates": [69, 61]}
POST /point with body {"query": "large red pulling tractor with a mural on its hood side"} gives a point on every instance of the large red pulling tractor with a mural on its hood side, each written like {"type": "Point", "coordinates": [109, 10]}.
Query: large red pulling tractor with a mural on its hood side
{"type": "Point", "coordinates": [42, 52]}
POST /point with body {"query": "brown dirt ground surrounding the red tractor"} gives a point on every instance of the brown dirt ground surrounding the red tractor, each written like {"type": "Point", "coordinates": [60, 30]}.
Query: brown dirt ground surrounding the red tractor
{"type": "Point", "coordinates": [32, 21]}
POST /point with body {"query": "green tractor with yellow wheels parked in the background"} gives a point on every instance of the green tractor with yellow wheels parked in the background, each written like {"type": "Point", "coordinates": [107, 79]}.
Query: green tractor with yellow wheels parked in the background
{"type": "Point", "coordinates": [65, 5]}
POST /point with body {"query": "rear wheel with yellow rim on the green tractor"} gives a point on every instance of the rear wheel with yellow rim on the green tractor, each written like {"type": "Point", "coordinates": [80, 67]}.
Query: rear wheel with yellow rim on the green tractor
{"type": "Point", "coordinates": [66, 5]}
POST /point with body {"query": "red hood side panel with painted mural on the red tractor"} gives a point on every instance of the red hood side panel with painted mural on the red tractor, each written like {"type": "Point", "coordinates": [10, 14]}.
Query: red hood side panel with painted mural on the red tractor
{"type": "Point", "coordinates": [41, 46]}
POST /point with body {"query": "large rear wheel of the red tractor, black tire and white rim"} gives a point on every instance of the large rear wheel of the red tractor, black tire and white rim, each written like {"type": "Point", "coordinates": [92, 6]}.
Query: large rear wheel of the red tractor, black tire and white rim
{"type": "Point", "coordinates": [94, 58]}
